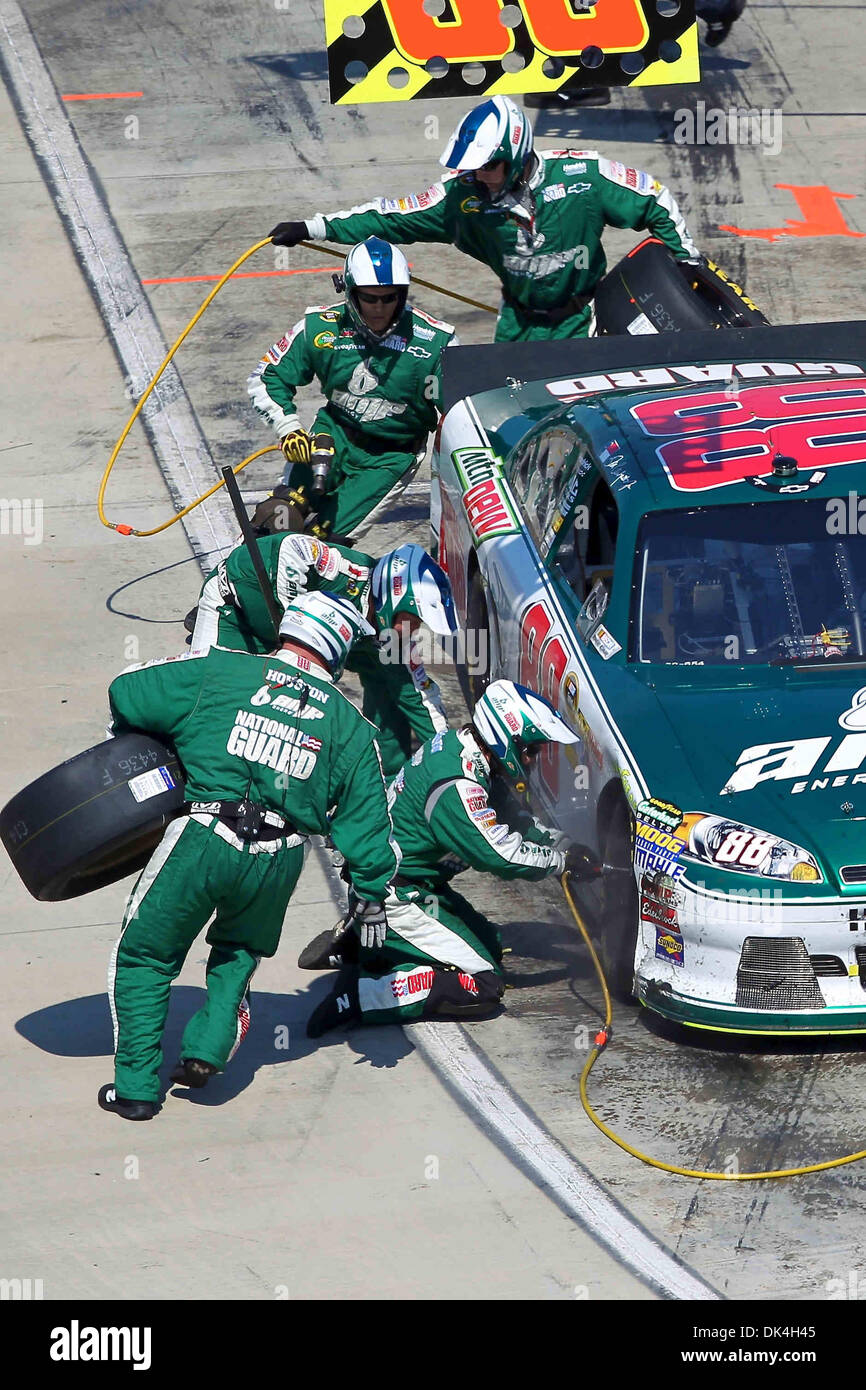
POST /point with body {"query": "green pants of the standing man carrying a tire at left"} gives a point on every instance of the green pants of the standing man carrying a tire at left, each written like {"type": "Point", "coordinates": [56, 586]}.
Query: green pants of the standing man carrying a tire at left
{"type": "Point", "coordinates": [198, 869]}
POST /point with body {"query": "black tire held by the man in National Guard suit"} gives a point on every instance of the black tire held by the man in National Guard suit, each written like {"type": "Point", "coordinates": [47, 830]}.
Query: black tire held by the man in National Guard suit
{"type": "Point", "coordinates": [80, 826]}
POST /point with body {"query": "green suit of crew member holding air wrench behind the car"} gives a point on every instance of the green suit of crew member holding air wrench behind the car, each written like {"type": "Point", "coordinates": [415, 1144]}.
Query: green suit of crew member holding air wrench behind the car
{"type": "Point", "coordinates": [382, 404]}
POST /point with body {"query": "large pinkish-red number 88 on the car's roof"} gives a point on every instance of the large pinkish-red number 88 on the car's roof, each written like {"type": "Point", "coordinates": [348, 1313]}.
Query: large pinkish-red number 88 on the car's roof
{"type": "Point", "coordinates": [711, 447]}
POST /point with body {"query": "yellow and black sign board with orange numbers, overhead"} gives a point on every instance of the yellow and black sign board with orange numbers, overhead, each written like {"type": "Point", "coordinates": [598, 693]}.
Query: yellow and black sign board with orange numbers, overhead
{"type": "Point", "coordinates": [400, 51]}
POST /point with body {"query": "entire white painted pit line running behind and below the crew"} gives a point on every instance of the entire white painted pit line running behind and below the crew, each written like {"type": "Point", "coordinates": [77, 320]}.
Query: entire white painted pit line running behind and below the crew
{"type": "Point", "coordinates": [188, 471]}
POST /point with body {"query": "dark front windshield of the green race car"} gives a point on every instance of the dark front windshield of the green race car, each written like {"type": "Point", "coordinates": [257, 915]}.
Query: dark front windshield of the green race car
{"type": "Point", "coordinates": [757, 584]}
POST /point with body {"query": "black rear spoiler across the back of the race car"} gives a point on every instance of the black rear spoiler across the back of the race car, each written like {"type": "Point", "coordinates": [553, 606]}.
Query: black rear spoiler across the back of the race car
{"type": "Point", "coordinates": [516, 368]}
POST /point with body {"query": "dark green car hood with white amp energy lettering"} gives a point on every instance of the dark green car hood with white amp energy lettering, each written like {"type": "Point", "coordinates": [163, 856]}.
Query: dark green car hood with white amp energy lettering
{"type": "Point", "coordinates": [785, 753]}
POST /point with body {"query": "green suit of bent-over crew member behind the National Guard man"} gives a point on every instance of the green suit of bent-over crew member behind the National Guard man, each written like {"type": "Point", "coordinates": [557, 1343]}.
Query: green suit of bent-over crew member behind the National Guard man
{"type": "Point", "coordinates": [400, 698]}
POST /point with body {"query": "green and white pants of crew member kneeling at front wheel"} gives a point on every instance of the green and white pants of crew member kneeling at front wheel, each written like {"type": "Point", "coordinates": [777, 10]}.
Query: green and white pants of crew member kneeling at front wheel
{"type": "Point", "coordinates": [441, 960]}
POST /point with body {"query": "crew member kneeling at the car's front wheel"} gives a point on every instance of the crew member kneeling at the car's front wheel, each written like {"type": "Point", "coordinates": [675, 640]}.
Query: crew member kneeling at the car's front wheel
{"type": "Point", "coordinates": [441, 957]}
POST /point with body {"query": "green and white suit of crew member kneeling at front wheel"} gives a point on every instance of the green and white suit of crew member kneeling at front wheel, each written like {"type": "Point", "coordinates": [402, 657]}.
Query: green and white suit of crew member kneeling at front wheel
{"type": "Point", "coordinates": [441, 956]}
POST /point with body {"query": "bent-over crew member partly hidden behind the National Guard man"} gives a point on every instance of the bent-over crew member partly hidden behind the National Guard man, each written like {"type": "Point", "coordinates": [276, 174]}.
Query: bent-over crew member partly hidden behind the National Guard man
{"type": "Point", "coordinates": [397, 594]}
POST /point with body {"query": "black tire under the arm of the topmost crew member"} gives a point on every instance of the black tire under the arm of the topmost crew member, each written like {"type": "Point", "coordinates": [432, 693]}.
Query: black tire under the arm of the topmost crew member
{"type": "Point", "coordinates": [650, 291]}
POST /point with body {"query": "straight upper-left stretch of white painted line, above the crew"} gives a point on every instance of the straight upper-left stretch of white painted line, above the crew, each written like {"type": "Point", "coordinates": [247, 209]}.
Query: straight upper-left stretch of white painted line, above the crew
{"type": "Point", "coordinates": [138, 341]}
